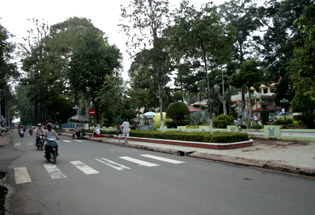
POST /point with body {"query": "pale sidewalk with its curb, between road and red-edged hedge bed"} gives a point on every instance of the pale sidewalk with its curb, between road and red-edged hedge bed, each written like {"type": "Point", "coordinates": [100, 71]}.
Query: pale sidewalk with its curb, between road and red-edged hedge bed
{"type": "Point", "coordinates": [289, 156]}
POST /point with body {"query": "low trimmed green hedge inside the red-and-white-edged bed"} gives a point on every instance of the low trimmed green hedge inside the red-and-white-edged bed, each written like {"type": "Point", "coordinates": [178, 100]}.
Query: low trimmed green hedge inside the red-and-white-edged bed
{"type": "Point", "coordinates": [217, 137]}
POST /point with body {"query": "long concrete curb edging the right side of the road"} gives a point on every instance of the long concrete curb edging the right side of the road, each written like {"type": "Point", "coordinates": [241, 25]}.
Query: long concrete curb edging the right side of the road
{"type": "Point", "coordinates": [272, 165]}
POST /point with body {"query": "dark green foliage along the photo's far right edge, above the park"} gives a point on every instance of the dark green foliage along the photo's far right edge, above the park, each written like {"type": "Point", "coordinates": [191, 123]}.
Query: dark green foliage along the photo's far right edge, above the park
{"type": "Point", "coordinates": [302, 65]}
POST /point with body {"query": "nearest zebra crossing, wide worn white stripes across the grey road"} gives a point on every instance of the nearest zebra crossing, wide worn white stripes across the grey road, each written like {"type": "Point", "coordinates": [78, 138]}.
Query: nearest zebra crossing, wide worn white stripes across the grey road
{"type": "Point", "coordinates": [22, 176]}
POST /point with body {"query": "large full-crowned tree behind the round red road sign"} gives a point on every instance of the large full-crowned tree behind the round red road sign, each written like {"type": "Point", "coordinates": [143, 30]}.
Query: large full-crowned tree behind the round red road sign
{"type": "Point", "coordinates": [87, 56]}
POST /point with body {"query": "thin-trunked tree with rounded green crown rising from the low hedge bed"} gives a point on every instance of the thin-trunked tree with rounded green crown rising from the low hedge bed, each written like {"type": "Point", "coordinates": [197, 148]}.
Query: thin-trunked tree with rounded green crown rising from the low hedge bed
{"type": "Point", "coordinates": [201, 35]}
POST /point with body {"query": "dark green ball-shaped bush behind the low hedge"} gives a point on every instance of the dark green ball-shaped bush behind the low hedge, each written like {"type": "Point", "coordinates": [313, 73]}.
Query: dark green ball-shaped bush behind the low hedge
{"type": "Point", "coordinates": [179, 113]}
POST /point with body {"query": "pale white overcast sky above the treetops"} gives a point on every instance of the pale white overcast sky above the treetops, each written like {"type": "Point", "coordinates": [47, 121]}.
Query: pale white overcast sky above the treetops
{"type": "Point", "coordinates": [104, 14]}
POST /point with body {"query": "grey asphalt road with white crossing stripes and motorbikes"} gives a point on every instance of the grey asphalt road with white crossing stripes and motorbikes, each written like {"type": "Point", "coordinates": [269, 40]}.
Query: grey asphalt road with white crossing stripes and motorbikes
{"type": "Point", "coordinates": [96, 178]}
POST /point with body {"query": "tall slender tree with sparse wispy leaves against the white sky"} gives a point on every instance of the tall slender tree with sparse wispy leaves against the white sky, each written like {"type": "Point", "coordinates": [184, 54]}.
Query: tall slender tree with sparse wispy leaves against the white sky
{"type": "Point", "coordinates": [146, 20]}
